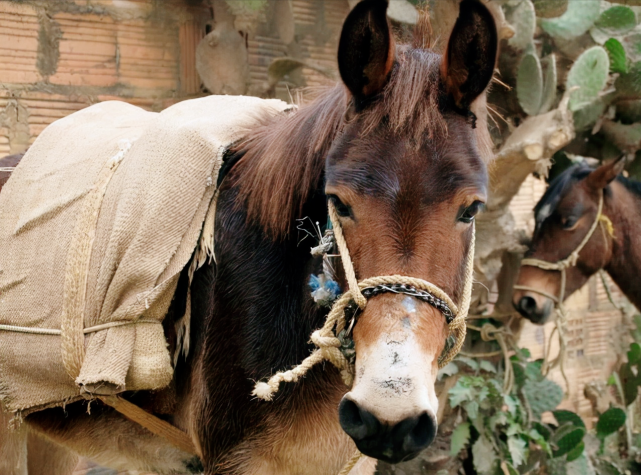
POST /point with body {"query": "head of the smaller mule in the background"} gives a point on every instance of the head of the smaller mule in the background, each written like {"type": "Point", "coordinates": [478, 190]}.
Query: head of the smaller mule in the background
{"type": "Point", "coordinates": [564, 216]}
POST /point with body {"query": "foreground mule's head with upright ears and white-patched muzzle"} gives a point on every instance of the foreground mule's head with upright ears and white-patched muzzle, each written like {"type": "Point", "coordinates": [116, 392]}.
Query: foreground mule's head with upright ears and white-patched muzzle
{"type": "Point", "coordinates": [406, 178]}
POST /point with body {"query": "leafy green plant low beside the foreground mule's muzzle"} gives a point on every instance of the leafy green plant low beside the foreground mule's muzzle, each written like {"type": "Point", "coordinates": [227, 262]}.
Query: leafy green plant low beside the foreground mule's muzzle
{"type": "Point", "coordinates": [506, 427]}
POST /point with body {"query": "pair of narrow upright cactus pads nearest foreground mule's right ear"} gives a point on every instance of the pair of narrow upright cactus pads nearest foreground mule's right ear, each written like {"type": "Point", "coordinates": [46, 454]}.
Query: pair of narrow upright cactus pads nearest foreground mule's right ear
{"type": "Point", "coordinates": [535, 96]}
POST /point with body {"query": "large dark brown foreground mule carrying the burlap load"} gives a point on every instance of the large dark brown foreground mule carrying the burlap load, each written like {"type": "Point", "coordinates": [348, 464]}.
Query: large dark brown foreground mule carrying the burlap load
{"type": "Point", "coordinates": [399, 152]}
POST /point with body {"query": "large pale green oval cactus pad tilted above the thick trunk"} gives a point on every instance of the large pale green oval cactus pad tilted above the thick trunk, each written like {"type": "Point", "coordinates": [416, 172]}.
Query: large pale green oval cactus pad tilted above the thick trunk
{"type": "Point", "coordinates": [589, 74]}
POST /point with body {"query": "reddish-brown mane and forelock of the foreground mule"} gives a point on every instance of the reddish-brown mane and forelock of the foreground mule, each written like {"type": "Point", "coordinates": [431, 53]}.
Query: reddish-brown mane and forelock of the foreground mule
{"type": "Point", "coordinates": [284, 159]}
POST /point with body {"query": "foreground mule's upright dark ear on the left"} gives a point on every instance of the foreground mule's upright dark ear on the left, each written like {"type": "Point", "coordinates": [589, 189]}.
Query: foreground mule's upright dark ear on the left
{"type": "Point", "coordinates": [366, 49]}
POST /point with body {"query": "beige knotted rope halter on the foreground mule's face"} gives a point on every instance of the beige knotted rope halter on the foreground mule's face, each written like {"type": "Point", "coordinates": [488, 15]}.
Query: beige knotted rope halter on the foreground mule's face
{"type": "Point", "coordinates": [327, 338]}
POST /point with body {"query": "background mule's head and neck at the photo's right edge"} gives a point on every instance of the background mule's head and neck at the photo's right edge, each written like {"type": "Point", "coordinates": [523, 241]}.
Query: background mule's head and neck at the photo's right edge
{"type": "Point", "coordinates": [564, 217]}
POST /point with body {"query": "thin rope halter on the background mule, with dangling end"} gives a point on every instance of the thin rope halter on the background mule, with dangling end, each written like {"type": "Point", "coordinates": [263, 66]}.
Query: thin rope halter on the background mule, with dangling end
{"type": "Point", "coordinates": [562, 266]}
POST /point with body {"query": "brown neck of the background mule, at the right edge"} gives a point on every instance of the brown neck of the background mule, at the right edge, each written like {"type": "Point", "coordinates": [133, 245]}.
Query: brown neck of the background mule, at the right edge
{"type": "Point", "coordinates": [623, 207]}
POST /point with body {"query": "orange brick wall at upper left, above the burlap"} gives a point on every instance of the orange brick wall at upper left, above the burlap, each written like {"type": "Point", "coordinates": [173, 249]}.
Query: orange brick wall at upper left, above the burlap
{"type": "Point", "coordinates": [61, 56]}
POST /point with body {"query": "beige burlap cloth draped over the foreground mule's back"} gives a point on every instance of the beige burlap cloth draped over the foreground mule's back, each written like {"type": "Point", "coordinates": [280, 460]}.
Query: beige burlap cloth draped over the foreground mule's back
{"type": "Point", "coordinates": [96, 223]}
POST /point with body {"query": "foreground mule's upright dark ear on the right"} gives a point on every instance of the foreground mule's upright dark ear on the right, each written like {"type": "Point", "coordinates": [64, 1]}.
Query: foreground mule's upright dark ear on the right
{"type": "Point", "coordinates": [468, 63]}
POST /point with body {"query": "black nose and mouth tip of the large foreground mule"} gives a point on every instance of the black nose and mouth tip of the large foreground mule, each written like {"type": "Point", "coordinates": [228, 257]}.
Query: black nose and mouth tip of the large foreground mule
{"type": "Point", "coordinates": [392, 443]}
